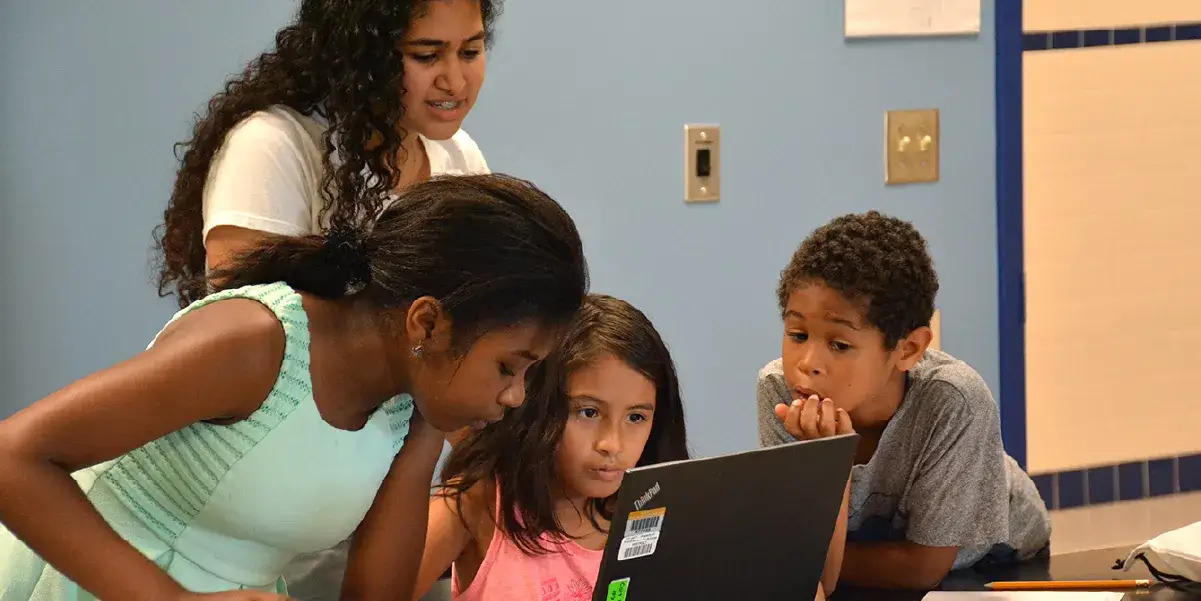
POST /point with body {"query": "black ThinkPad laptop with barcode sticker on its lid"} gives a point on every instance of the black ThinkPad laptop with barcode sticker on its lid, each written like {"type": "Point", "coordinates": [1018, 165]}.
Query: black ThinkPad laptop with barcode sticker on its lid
{"type": "Point", "coordinates": [748, 526]}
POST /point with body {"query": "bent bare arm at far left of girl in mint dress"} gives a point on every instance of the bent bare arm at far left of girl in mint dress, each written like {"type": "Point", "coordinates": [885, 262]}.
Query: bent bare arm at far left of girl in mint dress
{"type": "Point", "coordinates": [217, 362]}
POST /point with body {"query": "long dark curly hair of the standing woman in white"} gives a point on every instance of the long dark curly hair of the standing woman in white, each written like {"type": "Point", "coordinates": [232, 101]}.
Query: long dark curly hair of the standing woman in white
{"type": "Point", "coordinates": [339, 59]}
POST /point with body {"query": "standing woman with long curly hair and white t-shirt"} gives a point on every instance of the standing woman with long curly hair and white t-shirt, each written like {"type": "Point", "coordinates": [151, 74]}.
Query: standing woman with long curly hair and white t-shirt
{"type": "Point", "coordinates": [357, 100]}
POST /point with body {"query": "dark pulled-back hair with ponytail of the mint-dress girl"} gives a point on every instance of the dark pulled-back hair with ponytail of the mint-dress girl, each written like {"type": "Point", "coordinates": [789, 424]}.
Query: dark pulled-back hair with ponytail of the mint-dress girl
{"type": "Point", "coordinates": [495, 251]}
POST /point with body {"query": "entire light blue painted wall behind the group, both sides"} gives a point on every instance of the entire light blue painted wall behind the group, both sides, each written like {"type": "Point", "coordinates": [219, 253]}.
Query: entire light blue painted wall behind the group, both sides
{"type": "Point", "coordinates": [588, 103]}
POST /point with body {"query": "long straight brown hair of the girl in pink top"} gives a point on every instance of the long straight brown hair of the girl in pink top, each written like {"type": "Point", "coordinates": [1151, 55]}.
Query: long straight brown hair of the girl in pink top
{"type": "Point", "coordinates": [518, 454]}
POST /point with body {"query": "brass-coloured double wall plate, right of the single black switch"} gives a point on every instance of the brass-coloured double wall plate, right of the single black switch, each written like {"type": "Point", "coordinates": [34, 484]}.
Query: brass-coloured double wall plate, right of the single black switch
{"type": "Point", "coordinates": [911, 146]}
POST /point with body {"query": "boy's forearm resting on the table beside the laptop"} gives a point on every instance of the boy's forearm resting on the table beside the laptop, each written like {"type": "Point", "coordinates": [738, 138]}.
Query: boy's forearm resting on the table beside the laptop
{"type": "Point", "coordinates": [897, 566]}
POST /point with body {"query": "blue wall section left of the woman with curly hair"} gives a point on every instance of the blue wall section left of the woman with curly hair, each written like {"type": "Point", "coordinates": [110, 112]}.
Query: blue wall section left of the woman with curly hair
{"type": "Point", "coordinates": [94, 97]}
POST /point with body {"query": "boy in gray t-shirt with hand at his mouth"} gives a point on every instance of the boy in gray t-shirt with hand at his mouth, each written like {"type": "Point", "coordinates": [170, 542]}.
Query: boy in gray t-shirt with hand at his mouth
{"type": "Point", "coordinates": [933, 489]}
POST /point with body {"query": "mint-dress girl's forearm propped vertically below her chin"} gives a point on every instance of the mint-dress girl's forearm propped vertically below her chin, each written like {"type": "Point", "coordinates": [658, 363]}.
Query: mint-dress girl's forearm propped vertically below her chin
{"type": "Point", "coordinates": [387, 549]}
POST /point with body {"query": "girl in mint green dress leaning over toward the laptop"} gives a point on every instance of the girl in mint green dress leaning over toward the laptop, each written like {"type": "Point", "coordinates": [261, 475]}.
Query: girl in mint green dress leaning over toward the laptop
{"type": "Point", "coordinates": [304, 402]}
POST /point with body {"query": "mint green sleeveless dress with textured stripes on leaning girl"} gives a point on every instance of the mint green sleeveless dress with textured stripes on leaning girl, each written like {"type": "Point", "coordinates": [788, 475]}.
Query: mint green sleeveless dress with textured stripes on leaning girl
{"type": "Point", "coordinates": [224, 508]}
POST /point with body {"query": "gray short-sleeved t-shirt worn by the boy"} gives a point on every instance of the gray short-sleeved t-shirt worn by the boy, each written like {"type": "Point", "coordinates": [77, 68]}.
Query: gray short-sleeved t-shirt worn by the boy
{"type": "Point", "coordinates": [940, 477]}
